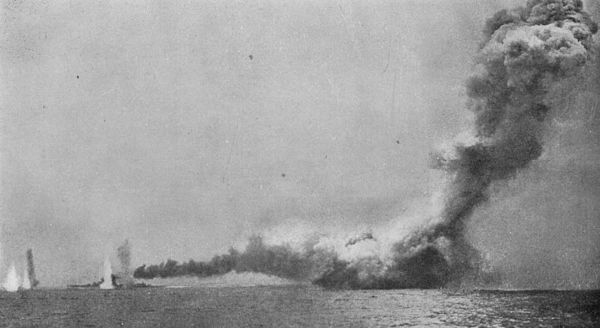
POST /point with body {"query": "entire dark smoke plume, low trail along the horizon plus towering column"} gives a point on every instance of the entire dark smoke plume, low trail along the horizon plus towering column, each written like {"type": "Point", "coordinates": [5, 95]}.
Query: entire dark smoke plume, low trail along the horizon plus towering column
{"type": "Point", "coordinates": [527, 52]}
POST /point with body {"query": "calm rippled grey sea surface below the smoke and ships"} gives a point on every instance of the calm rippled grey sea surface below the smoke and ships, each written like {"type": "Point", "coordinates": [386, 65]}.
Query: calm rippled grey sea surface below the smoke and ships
{"type": "Point", "coordinates": [297, 306]}
